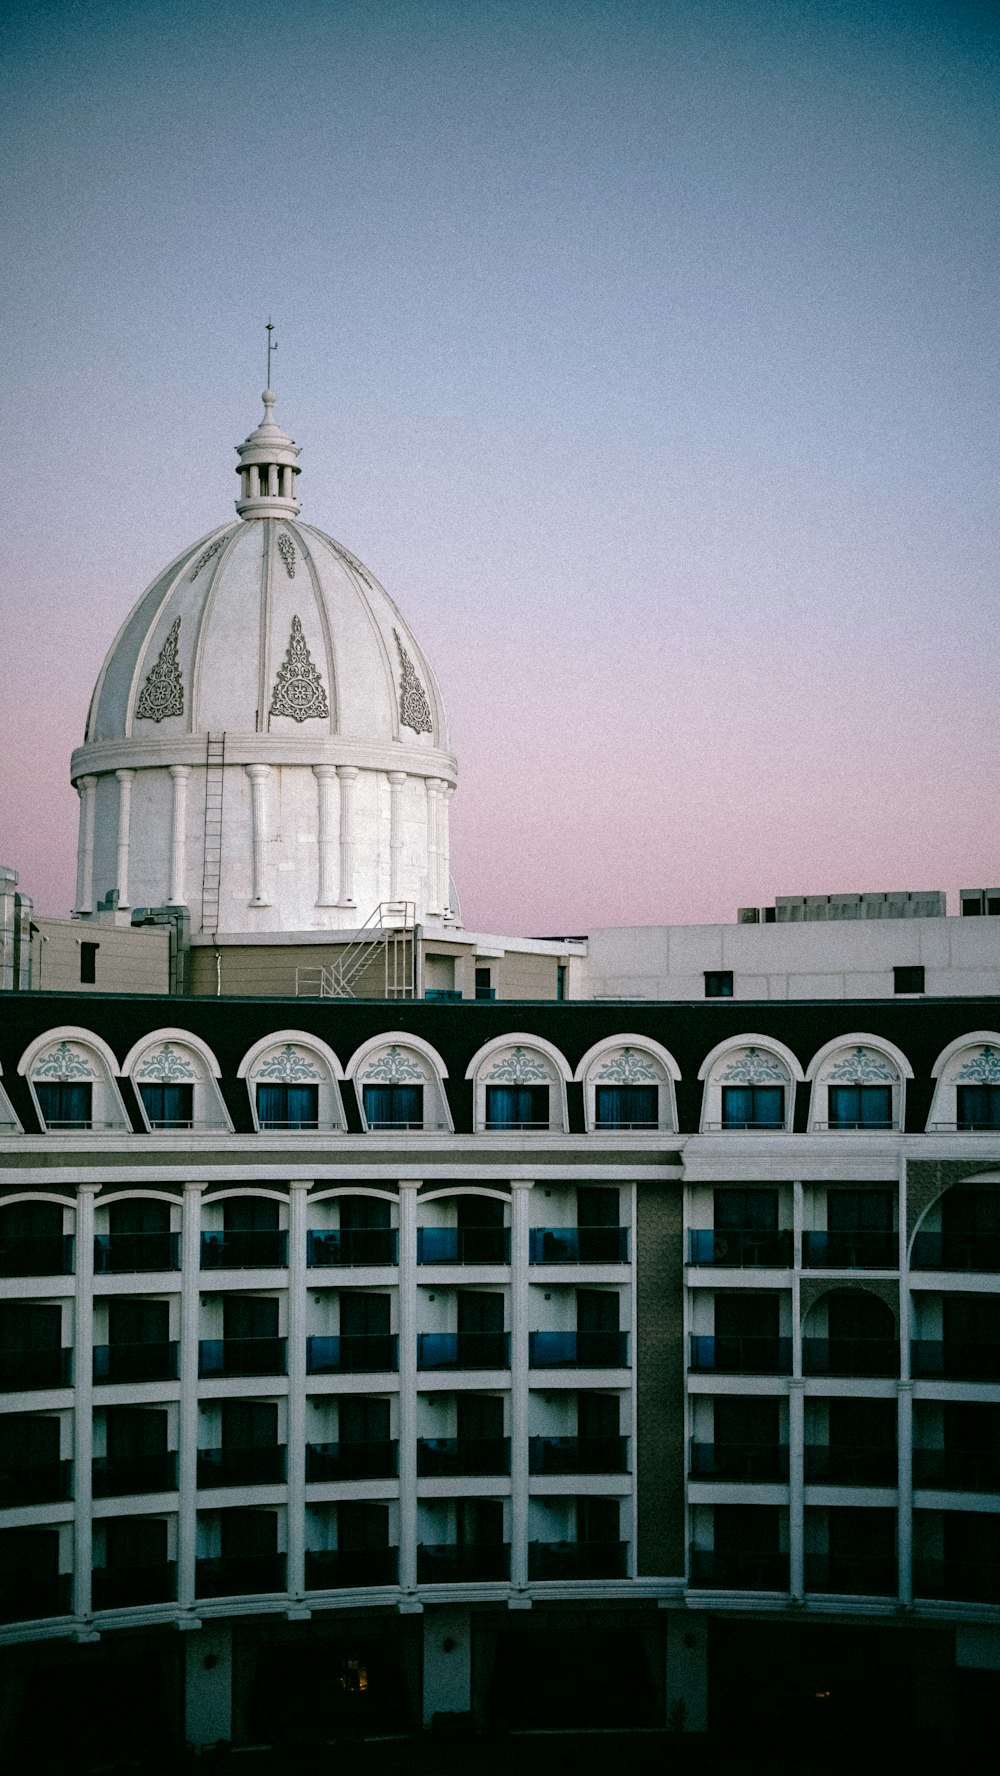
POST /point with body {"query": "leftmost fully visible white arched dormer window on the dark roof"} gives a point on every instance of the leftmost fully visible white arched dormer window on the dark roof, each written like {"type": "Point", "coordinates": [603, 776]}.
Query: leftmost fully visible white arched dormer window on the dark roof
{"type": "Point", "coordinates": [72, 1079]}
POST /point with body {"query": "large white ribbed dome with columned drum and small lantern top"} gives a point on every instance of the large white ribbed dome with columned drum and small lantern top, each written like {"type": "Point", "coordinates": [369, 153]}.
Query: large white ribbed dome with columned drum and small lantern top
{"type": "Point", "coordinates": [267, 741]}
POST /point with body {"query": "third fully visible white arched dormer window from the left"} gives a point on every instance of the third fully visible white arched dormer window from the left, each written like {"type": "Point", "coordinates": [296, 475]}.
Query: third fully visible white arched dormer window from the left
{"type": "Point", "coordinates": [292, 1081]}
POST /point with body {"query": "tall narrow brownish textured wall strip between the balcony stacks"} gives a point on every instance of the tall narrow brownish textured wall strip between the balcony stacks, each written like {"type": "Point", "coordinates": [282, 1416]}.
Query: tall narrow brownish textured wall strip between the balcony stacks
{"type": "Point", "coordinates": [660, 1356]}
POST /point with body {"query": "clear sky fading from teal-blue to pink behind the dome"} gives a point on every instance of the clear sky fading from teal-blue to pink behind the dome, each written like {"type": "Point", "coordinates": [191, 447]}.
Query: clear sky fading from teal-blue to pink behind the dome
{"type": "Point", "coordinates": [649, 356]}
